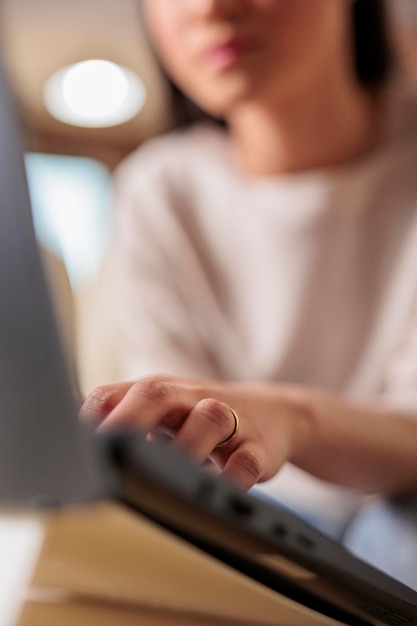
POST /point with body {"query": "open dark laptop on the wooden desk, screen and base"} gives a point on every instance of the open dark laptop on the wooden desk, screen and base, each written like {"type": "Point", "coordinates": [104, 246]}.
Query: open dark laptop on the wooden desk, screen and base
{"type": "Point", "coordinates": [49, 459]}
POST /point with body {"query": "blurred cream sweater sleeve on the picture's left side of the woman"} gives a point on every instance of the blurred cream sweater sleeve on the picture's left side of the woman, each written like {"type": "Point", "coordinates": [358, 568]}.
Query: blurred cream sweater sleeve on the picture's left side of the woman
{"type": "Point", "coordinates": [156, 327]}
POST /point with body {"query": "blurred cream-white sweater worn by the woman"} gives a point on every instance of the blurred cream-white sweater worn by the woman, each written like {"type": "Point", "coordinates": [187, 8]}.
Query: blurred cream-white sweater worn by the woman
{"type": "Point", "coordinates": [310, 278]}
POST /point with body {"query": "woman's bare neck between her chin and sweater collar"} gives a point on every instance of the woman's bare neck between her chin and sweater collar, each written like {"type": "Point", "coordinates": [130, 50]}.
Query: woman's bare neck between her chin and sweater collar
{"type": "Point", "coordinates": [329, 124]}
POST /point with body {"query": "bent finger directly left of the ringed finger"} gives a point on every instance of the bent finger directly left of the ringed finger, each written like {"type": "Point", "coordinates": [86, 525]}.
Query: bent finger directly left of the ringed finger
{"type": "Point", "coordinates": [151, 403]}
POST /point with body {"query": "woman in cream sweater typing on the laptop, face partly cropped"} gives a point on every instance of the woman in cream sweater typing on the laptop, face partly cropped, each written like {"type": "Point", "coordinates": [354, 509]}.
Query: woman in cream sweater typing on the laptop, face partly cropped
{"type": "Point", "coordinates": [273, 261]}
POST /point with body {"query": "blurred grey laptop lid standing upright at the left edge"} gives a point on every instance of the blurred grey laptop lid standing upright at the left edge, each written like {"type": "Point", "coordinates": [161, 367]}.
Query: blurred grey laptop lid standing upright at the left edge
{"type": "Point", "coordinates": [44, 452]}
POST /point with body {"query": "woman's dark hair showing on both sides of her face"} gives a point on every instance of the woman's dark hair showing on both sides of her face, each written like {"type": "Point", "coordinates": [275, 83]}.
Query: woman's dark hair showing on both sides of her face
{"type": "Point", "coordinates": [373, 59]}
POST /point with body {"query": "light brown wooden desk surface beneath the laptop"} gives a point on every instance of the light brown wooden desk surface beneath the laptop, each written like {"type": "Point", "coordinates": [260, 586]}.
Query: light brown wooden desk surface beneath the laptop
{"type": "Point", "coordinates": [106, 565]}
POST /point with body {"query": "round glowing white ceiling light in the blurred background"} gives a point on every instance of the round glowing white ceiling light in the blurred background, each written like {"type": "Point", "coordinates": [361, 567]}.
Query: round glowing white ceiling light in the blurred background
{"type": "Point", "coordinates": [94, 93]}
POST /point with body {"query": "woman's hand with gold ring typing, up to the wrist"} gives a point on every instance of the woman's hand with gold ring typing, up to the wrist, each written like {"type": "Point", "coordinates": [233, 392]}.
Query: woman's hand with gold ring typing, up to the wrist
{"type": "Point", "coordinates": [275, 421]}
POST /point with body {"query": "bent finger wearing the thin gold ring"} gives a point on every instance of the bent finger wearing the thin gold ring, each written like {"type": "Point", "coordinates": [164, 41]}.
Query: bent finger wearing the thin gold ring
{"type": "Point", "coordinates": [209, 423]}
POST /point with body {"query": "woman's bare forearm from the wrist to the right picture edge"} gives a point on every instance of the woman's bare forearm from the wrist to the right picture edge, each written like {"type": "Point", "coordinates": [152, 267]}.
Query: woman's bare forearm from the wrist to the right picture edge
{"type": "Point", "coordinates": [369, 448]}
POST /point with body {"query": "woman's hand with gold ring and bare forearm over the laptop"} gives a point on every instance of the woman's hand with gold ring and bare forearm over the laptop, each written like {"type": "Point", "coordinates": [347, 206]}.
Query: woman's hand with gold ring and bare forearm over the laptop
{"type": "Point", "coordinates": [368, 447]}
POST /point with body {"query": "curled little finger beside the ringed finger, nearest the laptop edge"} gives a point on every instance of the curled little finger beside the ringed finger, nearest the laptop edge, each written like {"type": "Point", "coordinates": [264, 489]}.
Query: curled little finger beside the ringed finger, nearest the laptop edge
{"type": "Point", "coordinates": [245, 466]}
